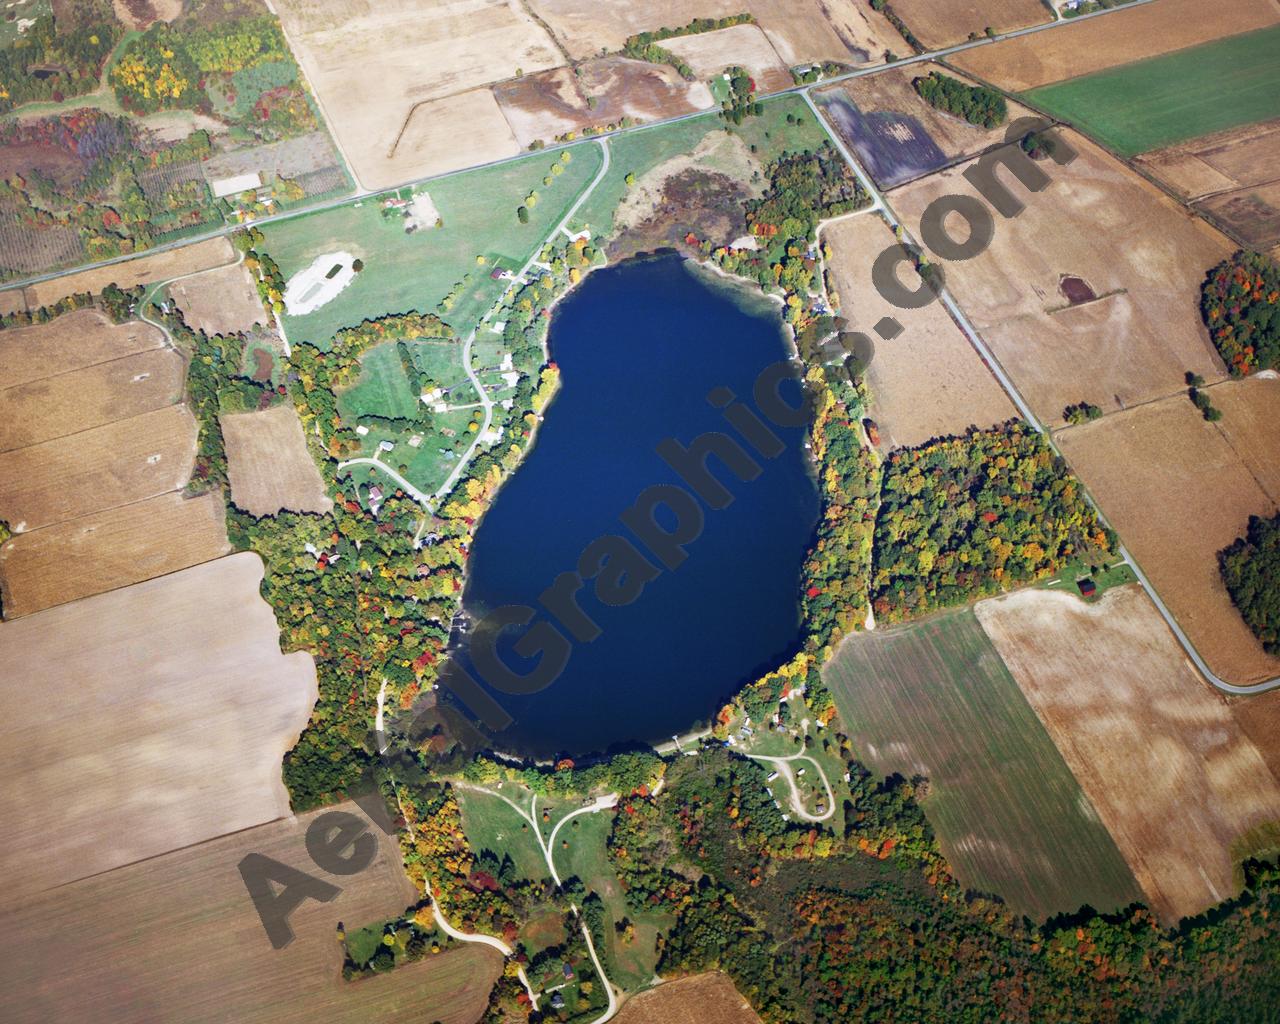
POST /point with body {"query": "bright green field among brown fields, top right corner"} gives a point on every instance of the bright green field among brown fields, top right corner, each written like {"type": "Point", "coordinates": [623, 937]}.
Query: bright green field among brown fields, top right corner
{"type": "Point", "coordinates": [1171, 99]}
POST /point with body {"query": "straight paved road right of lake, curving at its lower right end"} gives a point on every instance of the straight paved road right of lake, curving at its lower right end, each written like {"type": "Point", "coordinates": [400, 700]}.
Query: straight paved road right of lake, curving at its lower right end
{"type": "Point", "coordinates": [1026, 410]}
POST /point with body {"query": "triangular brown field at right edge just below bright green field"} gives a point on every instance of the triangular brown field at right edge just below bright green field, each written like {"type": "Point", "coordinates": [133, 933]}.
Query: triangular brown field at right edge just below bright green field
{"type": "Point", "coordinates": [1231, 177]}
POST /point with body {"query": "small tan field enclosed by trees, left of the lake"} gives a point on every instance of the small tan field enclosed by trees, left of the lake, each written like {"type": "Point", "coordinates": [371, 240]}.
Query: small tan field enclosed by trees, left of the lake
{"type": "Point", "coordinates": [268, 464]}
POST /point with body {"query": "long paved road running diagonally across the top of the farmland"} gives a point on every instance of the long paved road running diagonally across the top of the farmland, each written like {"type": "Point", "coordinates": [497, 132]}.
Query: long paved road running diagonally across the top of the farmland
{"type": "Point", "coordinates": [415, 182]}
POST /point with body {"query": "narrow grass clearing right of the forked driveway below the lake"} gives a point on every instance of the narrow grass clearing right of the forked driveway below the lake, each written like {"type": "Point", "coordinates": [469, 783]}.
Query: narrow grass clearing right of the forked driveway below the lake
{"type": "Point", "coordinates": [630, 964]}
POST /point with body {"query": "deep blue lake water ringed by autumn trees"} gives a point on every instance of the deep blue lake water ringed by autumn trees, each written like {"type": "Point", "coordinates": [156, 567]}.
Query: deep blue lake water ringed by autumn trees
{"type": "Point", "coordinates": [639, 348]}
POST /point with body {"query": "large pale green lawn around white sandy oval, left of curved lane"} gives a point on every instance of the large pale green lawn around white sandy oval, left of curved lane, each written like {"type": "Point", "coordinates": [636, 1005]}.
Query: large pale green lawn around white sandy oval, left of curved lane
{"type": "Point", "coordinates": [419, 271]}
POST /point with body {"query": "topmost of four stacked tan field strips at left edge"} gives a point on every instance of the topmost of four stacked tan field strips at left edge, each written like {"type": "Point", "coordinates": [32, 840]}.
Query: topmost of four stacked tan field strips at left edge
{"type": "Point", "coordinates": [71, 342]}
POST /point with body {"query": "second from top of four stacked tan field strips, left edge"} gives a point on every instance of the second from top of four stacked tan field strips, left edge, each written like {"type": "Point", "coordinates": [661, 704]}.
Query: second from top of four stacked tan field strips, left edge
{"type": "Point", "coordinates": [53, 408]}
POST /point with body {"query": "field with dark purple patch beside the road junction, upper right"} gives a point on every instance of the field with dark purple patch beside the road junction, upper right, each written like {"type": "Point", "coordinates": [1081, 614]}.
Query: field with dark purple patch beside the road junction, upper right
{"type": "Point", "coordinates": [898, 135]}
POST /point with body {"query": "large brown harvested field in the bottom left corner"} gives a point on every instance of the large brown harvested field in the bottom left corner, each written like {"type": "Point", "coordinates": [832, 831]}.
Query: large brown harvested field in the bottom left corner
{"type": "Point", "coordinates": [177, 941]}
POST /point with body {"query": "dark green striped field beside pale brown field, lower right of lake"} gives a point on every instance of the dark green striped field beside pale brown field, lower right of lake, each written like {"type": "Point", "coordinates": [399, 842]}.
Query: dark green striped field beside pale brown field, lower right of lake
{"type": "Point", "coordinates": [935, 700]}
